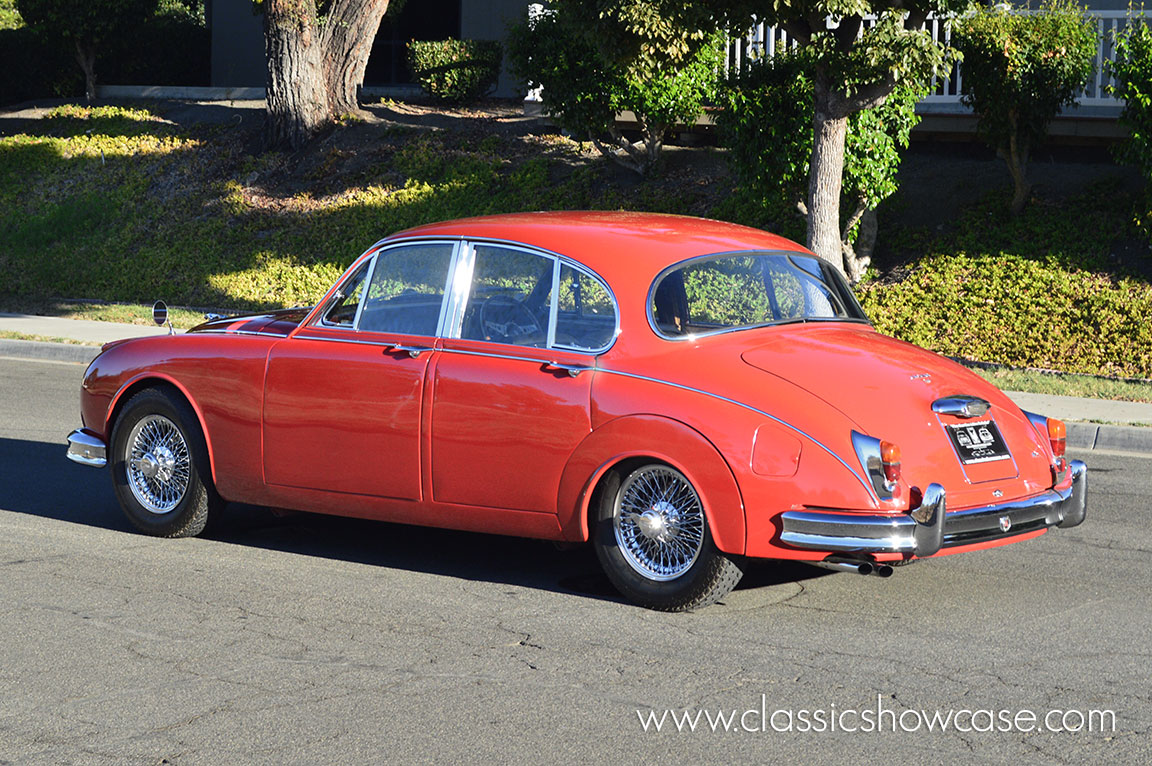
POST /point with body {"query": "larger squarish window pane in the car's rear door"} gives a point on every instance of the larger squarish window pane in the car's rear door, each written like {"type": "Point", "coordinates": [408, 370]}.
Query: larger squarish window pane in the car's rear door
{"type": "Point", "coordinates": [511, 298]}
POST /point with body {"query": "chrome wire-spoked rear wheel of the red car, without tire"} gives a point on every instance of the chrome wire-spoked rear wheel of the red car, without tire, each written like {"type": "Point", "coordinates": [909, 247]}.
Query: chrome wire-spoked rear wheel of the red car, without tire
{"type": "Point", "coordinates": [658, 521]}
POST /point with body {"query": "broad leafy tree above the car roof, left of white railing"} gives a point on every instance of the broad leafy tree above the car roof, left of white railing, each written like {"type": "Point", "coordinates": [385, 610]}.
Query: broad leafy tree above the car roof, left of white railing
{"type": "Point", "coordinates": [598, 58]}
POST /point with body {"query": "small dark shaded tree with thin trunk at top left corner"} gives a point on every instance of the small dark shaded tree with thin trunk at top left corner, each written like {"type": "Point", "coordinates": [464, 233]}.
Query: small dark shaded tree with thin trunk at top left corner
{"type": "Point", "coordinates": [87, 25]}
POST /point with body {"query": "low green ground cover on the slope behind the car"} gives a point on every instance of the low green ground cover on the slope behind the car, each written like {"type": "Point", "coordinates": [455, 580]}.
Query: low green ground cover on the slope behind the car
{"type": "Point", "coordinates": [122, 204]}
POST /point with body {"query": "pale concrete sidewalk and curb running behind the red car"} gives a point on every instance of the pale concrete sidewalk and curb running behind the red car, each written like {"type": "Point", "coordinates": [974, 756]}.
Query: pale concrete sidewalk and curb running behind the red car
{"type": "Point", "coordinates": [1082, 415]}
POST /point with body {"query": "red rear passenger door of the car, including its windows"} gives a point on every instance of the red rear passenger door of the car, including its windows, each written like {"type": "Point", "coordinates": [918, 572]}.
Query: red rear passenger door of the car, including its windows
{"type": "Point", "coordinates": [512, 383]}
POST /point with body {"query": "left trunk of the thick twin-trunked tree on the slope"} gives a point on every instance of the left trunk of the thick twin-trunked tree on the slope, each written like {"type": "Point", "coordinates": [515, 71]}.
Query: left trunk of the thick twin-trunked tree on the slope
{"type": "Point", "coordinates": [298, 101]}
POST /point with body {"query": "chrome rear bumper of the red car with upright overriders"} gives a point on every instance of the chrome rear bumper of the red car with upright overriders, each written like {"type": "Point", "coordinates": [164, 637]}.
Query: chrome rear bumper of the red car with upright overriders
{"type": "Point", "coordinates": [927, 529]}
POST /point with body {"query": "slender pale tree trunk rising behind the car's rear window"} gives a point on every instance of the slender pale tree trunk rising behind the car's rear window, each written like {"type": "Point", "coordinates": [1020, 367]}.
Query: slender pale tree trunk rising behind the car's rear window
{"type": "Point", "coordinates": [830, 126]}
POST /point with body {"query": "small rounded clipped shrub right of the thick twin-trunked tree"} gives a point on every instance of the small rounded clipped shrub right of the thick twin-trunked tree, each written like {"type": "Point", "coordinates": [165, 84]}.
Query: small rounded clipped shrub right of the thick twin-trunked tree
{"type": "Point", "coordinates": [456, 71]}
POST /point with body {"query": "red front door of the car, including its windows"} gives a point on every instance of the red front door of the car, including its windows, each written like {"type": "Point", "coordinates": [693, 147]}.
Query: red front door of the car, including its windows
{"type": "Point", "coordinates": [344, 397]}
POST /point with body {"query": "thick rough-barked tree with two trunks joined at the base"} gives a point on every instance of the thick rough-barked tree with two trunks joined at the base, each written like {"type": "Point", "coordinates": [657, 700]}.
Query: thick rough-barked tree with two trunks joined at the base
{"type": "Point", "coordinates": [316, 52]}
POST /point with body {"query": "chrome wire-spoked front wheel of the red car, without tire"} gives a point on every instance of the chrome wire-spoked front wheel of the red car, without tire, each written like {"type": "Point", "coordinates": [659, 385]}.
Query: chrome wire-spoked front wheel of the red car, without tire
{"type": "Point", "coordinates": [157, 464]}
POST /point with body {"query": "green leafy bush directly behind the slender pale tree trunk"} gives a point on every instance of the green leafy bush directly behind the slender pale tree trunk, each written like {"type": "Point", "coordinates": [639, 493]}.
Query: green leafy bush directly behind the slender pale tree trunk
{"type": "Point", "coordinates": [767, 126]}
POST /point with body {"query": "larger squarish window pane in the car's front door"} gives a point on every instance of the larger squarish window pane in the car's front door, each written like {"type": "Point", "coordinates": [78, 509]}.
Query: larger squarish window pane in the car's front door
{"type": "Point", "coordinates": [407, 290]}
